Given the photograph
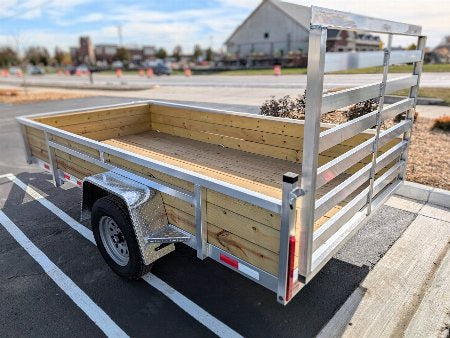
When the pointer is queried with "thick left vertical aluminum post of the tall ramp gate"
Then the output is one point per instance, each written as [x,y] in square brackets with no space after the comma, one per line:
[314,93]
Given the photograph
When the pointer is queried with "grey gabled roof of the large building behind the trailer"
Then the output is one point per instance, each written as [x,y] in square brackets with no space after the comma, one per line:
[298,13]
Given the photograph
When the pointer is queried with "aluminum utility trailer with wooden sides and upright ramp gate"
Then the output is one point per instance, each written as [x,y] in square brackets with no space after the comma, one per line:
[271,198]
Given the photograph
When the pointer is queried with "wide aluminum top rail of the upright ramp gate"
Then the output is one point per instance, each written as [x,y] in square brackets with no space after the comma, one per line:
[330,18]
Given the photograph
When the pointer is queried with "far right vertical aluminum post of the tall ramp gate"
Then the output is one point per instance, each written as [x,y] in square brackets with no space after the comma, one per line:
[413,93]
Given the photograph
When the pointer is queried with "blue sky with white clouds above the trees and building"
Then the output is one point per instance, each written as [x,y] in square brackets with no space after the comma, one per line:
[170,22]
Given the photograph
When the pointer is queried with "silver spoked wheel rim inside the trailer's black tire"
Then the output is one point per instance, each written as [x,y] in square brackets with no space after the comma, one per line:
[113,240]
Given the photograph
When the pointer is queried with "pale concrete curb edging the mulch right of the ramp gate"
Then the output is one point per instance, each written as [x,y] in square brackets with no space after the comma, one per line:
[425,193]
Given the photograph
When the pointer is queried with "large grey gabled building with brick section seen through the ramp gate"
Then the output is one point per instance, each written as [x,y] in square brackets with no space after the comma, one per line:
[277,28]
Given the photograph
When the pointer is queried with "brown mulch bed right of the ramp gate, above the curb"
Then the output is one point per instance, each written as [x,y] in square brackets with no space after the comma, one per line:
[429,155]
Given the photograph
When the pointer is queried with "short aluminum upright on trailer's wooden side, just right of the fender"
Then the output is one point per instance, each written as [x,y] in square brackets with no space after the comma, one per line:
[200,222]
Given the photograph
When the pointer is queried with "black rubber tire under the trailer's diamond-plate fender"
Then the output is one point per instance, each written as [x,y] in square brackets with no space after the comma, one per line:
[113,207]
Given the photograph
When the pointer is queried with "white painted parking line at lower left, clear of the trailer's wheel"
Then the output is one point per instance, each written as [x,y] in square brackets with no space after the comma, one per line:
[82,300]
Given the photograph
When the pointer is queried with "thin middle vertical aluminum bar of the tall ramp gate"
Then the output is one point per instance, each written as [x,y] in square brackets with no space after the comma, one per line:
[387,54]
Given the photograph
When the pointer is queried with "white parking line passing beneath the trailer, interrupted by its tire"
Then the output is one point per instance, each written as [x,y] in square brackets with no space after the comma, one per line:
[202,316]
